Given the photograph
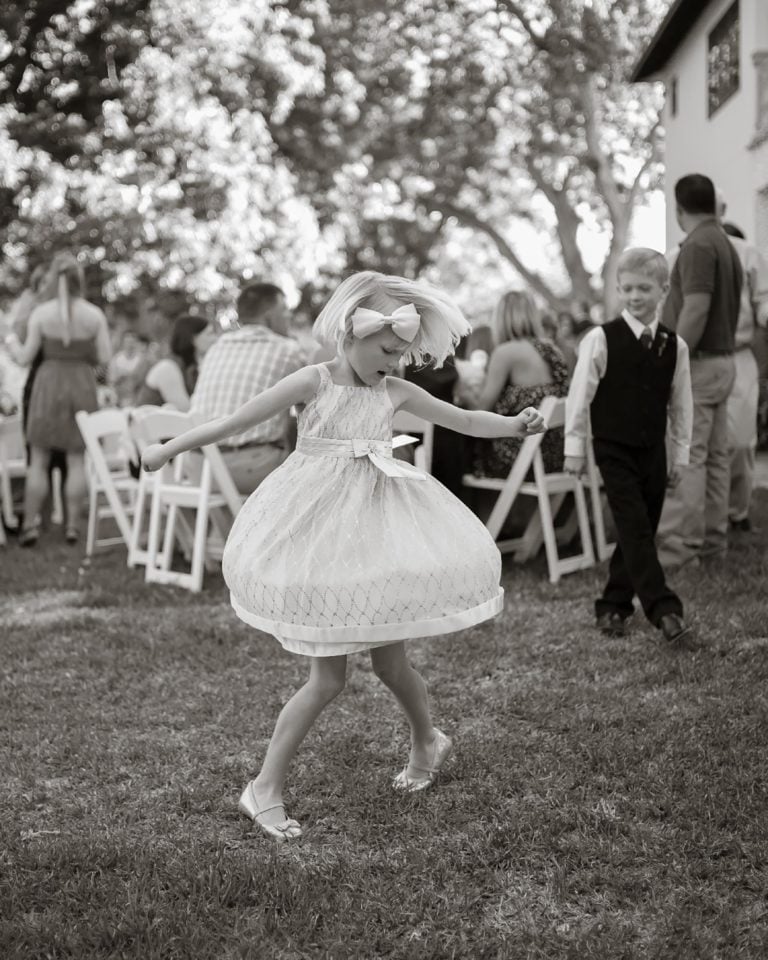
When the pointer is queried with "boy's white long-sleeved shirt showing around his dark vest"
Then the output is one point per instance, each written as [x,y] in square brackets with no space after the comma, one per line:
[590,368]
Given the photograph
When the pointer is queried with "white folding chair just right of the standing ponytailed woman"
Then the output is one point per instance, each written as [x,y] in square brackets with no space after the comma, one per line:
[112,489]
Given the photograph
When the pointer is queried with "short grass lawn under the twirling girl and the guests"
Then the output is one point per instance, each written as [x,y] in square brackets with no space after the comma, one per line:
[607,799]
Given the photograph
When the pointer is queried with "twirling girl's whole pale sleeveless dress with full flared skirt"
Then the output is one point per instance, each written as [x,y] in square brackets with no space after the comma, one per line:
[342,548]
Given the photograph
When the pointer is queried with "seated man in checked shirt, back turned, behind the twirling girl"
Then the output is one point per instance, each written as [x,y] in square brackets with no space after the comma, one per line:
[241,364]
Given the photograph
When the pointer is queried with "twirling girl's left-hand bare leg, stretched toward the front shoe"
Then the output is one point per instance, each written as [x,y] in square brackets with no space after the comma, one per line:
[327,676]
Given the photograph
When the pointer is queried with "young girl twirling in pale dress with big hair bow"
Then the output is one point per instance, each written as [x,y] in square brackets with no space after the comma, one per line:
[344,549]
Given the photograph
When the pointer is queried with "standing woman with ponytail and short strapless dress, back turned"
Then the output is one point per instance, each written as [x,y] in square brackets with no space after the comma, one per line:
[74,337]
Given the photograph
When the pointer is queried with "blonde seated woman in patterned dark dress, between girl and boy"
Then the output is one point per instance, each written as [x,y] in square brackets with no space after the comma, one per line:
[524,368]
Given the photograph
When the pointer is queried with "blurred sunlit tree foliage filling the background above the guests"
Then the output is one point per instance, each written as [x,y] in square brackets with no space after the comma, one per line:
[183,147]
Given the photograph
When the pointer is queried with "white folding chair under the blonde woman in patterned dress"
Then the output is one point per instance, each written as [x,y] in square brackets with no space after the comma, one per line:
[550,491]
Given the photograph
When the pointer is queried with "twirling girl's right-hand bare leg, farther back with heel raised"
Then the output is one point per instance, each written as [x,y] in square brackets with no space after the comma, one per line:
[391,666]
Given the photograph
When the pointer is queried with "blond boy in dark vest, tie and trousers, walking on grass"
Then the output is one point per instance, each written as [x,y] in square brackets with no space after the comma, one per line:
[632,375]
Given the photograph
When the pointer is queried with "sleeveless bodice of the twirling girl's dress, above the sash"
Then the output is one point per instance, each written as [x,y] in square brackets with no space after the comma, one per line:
[346,413]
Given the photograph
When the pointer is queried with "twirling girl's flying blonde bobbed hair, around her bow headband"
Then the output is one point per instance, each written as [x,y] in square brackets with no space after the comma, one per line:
[442,322]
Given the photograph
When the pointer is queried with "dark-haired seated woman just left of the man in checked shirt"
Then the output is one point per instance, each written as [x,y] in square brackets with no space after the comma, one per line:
[171,380]
